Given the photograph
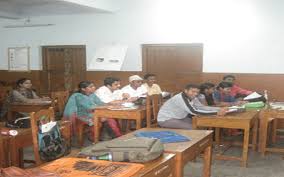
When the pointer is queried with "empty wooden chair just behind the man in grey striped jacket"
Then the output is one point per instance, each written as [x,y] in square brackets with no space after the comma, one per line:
[153,104]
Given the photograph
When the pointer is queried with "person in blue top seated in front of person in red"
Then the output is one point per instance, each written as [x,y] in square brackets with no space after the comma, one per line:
[222,96]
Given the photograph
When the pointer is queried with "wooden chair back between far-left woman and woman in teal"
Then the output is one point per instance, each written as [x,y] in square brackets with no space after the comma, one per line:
[59,99]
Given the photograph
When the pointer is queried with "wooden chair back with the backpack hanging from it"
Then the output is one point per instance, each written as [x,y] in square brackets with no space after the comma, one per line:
[36,118]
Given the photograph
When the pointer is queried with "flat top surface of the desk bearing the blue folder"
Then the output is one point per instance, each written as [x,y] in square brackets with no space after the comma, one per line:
[195,136]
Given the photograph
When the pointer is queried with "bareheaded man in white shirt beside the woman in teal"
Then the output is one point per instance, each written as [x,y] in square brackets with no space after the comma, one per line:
[110,93]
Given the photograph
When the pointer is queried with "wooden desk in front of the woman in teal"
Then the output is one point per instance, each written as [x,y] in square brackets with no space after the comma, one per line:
[134,114]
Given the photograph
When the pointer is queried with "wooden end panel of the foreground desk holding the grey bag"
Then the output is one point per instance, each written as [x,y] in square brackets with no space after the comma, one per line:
[166,169]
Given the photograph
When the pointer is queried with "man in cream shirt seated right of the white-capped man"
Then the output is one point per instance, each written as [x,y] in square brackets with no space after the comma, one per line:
[150,85]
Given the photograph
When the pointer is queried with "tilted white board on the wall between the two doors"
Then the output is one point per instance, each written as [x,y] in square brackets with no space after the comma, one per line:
[108,58]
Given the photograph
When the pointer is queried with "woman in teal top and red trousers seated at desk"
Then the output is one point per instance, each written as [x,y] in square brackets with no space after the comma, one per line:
[82,104]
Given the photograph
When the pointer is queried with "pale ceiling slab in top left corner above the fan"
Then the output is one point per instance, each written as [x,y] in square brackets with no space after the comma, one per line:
[17,9]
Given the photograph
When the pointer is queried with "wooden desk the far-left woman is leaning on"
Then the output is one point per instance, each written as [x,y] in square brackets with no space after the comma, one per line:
[25,107]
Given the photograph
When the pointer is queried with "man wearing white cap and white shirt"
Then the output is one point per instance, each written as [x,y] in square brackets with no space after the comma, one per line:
[135,89]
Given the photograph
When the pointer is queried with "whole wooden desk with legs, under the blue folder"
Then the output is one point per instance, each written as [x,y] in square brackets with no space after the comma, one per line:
[201,140]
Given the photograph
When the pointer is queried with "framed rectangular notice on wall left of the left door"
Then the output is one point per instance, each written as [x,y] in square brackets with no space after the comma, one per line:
[18,58]
